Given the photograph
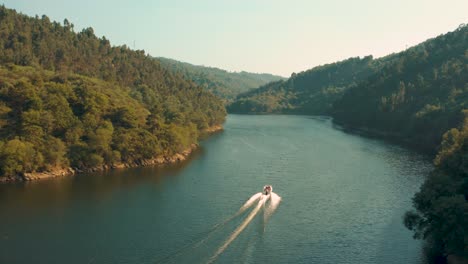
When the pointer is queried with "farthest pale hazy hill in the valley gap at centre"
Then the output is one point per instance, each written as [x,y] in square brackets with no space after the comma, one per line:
[224,84]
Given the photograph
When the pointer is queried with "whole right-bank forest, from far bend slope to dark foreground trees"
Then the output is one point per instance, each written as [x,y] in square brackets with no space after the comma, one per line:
[419,96]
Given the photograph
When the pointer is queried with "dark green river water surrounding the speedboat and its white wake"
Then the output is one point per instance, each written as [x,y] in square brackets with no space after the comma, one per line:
[343,197]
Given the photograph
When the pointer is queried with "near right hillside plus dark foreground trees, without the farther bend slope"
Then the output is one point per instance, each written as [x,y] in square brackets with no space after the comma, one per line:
[422,98]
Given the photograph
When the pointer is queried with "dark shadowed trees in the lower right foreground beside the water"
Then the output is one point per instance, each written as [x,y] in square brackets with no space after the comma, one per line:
[441,215]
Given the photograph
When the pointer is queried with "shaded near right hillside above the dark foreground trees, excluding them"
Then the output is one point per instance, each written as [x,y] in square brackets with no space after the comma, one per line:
[418,96]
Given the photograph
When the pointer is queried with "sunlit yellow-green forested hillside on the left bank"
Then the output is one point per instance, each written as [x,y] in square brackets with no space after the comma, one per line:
[72,99]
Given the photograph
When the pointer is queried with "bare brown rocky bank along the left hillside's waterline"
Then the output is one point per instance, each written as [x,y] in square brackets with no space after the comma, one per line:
[156,161]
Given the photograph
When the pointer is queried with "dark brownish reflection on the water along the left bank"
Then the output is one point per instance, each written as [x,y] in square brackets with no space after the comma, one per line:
[58,192]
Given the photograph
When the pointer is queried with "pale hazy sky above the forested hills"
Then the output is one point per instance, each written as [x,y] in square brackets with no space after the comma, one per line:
[271,36]
